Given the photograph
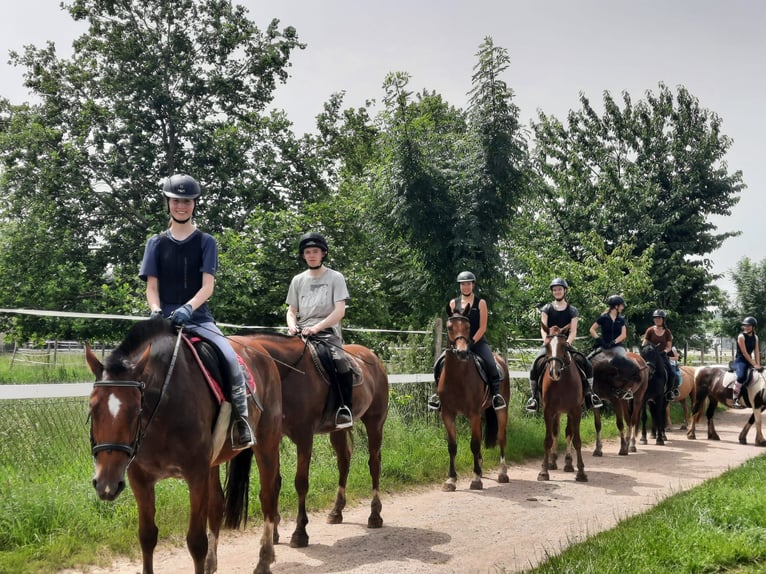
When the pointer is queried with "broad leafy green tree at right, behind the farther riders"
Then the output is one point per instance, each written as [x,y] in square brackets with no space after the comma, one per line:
[646,175]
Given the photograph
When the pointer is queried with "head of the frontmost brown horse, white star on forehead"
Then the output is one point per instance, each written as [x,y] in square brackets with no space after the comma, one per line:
[115,413]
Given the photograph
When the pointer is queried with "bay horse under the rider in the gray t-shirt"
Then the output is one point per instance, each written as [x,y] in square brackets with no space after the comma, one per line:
[305,392]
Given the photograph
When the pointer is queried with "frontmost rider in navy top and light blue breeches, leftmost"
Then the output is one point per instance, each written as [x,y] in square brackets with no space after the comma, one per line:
[179,267]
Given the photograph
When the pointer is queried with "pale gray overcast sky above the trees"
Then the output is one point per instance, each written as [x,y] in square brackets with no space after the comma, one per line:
[558,49]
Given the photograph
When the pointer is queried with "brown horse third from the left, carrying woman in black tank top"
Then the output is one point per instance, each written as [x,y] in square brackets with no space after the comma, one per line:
[462,390]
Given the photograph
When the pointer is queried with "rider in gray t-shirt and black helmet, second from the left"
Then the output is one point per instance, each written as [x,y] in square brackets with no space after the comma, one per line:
[316,303]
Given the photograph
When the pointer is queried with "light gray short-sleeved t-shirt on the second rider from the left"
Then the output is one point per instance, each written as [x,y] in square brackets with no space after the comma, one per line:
[315,297]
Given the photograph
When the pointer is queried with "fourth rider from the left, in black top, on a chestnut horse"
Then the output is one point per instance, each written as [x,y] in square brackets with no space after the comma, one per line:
[560,313]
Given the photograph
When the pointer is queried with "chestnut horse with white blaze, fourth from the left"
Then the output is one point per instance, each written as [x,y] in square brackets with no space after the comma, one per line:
[562,393]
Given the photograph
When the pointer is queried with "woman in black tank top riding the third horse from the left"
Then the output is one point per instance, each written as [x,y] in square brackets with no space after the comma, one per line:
[478,317]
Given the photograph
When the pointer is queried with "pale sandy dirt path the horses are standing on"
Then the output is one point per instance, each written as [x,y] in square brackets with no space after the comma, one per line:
[503,528]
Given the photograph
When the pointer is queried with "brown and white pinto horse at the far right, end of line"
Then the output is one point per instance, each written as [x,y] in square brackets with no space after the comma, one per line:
[713,383]
